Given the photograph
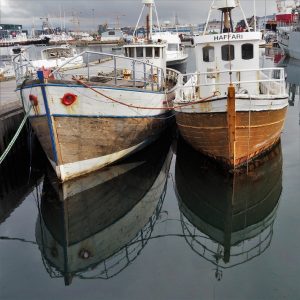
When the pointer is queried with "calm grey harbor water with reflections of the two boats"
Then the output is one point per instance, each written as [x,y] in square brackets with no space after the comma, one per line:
[165,223]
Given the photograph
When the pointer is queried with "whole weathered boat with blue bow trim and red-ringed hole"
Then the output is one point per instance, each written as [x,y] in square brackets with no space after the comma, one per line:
[90,117]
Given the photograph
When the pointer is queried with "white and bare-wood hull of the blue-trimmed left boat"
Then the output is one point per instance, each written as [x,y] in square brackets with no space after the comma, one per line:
[94,131]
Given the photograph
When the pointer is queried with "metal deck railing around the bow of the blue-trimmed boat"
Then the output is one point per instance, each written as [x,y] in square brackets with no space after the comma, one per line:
[98,67]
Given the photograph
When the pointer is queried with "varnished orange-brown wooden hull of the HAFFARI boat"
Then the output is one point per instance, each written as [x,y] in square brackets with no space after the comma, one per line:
[209,132]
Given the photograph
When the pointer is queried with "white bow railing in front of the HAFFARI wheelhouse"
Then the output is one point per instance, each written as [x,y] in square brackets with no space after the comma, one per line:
[264,81]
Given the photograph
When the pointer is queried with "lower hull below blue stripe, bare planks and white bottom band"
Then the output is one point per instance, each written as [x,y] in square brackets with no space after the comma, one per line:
[84,144]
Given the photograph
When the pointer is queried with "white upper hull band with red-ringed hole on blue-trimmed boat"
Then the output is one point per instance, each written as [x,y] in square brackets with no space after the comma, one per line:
[89,103]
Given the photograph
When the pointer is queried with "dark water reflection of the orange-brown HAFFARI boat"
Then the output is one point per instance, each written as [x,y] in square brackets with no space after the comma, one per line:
[228,219]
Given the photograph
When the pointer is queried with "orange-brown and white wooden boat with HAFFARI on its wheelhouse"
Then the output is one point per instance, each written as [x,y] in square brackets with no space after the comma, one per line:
[236,124]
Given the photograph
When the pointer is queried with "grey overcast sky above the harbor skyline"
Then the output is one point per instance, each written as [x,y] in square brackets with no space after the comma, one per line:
[93,12]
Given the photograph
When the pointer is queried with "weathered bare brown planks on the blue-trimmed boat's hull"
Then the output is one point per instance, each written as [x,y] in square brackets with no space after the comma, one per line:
[85,138]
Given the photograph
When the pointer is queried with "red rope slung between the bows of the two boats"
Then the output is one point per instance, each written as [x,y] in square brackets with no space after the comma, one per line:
[142,107]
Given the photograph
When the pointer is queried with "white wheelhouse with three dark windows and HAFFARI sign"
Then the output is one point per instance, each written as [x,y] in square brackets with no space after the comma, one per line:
[229,51]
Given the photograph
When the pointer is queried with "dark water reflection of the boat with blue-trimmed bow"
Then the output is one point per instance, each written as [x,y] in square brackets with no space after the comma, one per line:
[94,227]
